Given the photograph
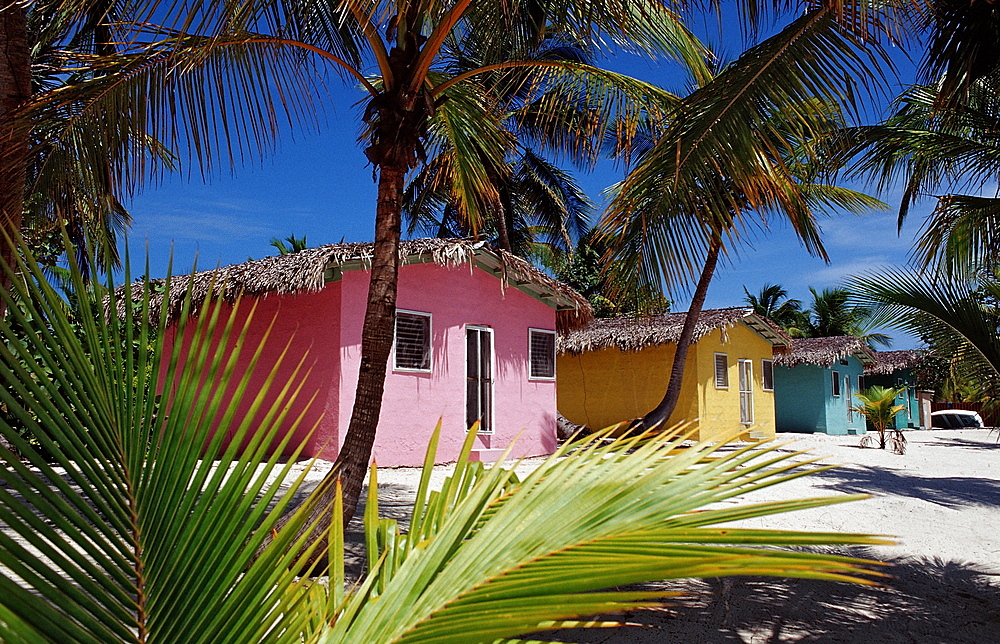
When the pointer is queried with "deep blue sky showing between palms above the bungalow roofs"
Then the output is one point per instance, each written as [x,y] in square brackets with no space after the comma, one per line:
[320,185]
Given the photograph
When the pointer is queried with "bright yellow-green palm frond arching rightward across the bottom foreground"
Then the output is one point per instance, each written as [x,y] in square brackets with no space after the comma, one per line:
[483,559]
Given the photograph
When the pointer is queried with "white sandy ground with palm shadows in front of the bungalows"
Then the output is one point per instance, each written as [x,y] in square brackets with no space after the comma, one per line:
[942,502]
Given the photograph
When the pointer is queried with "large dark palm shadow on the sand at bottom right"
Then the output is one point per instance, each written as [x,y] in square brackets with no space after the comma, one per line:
[927,600]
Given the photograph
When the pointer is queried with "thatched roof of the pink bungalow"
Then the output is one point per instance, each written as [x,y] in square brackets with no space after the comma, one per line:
[309,270]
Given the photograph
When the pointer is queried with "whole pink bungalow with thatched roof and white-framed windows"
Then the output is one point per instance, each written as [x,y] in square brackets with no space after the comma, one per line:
[474,340]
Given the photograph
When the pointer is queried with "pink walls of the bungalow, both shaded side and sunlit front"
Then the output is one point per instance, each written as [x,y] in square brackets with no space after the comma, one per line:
[325,329]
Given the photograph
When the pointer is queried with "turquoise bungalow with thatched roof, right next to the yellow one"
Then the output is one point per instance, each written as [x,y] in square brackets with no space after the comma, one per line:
[815,383]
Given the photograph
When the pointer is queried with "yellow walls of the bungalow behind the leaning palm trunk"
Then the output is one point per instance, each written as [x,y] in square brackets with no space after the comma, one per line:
[601,388]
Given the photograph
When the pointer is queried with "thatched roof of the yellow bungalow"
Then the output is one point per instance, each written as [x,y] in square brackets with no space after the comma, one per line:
[638,332]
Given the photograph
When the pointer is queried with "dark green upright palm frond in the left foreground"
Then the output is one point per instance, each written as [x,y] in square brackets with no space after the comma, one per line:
[146,526]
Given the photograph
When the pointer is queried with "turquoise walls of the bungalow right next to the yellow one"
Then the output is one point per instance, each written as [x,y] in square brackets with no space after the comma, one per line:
[804,400]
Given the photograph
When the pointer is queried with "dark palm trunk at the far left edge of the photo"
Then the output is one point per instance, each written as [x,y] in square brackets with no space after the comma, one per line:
[15,89]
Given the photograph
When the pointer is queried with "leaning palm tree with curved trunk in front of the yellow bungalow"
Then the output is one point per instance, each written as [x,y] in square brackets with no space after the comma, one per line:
[737,147]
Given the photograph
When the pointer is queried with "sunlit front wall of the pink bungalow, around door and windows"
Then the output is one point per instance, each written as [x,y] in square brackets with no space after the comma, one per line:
[413,402]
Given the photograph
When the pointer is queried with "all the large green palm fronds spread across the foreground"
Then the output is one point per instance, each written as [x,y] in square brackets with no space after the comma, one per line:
[149,527]
